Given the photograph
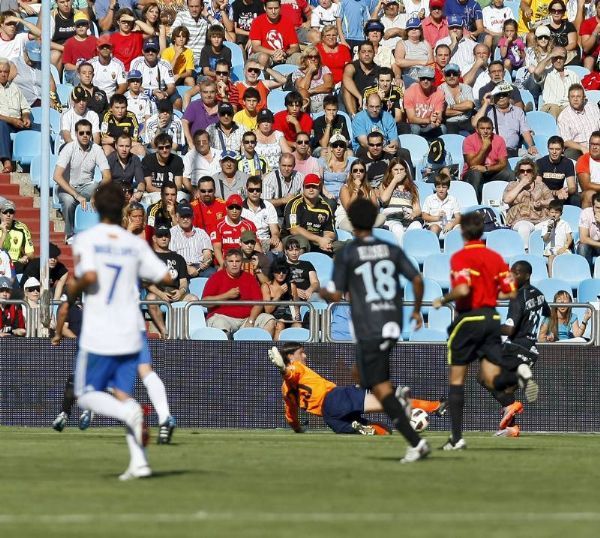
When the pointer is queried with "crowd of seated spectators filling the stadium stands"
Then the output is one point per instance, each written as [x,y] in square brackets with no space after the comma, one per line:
[242,131]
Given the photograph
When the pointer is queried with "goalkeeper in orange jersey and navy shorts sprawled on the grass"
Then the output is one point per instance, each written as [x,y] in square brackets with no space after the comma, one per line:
[342,408]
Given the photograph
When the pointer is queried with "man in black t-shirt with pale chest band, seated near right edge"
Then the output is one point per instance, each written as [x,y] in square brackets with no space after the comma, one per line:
[558,172]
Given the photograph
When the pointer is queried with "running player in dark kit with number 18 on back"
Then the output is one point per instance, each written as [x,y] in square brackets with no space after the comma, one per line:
[369,268]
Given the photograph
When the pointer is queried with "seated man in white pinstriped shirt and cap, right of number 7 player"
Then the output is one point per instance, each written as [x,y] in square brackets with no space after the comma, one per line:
[192,243]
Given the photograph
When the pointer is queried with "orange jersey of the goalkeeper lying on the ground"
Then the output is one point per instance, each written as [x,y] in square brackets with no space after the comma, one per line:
[305,388]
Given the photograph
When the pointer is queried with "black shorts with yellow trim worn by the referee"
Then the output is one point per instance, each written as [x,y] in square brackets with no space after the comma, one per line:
[475,335]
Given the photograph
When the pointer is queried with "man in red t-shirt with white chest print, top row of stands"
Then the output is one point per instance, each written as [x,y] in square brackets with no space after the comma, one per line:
[274,37]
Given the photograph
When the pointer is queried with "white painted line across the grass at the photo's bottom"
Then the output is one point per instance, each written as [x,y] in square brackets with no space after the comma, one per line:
[284,517]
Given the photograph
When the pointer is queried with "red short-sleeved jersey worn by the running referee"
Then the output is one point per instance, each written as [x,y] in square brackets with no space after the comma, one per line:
[484,271]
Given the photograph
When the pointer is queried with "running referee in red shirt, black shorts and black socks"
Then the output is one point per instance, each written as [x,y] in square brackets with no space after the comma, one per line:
[479,277]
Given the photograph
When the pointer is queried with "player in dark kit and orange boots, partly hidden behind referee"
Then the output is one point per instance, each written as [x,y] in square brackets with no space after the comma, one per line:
[525,313]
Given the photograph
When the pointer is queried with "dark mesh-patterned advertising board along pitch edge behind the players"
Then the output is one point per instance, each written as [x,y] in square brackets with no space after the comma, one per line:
[233,384]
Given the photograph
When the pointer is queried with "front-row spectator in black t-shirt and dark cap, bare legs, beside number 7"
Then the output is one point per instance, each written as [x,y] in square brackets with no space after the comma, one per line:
[178,290]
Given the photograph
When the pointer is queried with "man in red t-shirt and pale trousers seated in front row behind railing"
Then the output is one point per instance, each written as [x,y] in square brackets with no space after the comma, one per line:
[233,284]
